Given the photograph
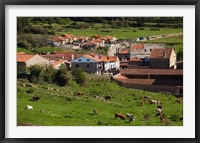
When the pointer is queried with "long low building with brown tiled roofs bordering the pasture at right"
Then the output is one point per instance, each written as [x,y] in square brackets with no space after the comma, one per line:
[154,80]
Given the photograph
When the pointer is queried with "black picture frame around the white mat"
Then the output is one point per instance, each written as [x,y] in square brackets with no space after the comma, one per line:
[3,4]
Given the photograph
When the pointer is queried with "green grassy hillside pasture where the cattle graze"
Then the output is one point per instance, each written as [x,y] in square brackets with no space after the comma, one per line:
[60,106]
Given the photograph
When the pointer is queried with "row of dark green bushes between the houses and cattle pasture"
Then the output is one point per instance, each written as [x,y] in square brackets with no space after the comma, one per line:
[61,77]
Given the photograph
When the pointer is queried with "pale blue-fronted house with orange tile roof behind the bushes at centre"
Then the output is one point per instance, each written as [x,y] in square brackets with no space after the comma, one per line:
[88,64]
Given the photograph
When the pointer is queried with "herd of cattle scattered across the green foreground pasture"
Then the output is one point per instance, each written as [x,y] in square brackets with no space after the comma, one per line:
[131,118]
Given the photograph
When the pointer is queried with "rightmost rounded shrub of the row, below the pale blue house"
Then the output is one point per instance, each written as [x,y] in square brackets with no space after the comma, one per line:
[79,76]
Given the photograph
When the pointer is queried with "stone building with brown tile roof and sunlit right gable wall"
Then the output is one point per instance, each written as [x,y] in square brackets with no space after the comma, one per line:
[163,59]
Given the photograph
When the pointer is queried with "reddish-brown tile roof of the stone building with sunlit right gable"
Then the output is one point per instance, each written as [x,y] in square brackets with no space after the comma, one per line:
[161,53]
